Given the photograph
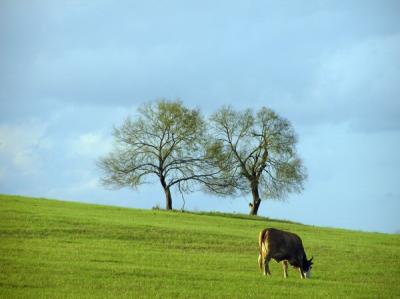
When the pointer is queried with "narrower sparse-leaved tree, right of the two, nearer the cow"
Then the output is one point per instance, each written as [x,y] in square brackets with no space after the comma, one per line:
[259,152]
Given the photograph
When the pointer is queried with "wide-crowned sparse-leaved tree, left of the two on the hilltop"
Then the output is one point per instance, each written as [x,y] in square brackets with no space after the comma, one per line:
[167,141]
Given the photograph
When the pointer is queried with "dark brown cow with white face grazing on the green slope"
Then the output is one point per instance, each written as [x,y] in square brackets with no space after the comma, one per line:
[283,247]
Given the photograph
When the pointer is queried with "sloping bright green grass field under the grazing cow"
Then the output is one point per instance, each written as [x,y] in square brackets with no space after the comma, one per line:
[55,249]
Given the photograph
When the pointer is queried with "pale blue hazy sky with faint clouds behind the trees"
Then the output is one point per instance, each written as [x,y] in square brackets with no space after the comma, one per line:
[70,71]
